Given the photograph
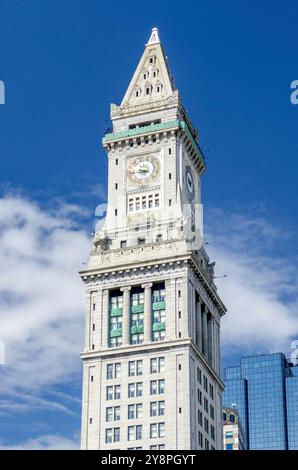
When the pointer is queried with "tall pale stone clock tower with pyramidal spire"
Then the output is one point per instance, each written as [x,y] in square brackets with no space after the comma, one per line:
[151,360]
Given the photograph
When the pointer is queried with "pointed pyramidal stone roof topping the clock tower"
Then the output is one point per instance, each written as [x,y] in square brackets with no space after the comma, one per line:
[152,80]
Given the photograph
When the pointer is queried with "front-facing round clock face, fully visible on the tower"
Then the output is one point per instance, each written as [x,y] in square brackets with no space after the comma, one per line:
[143,170]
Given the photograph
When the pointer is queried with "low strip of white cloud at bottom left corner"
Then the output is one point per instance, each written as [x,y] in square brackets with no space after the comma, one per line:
[47,442]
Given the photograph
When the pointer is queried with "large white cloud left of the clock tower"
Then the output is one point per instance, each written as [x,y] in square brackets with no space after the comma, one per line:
[41,294]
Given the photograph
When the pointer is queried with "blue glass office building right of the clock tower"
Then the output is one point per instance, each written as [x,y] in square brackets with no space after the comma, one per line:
[264,390]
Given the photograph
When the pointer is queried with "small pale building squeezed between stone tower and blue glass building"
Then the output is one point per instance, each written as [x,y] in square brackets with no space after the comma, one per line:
[233,433]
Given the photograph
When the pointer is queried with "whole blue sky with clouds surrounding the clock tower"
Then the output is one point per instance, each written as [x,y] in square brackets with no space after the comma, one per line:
[63,63]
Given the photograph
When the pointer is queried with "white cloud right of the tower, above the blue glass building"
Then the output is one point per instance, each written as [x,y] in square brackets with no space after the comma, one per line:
[260,291]
